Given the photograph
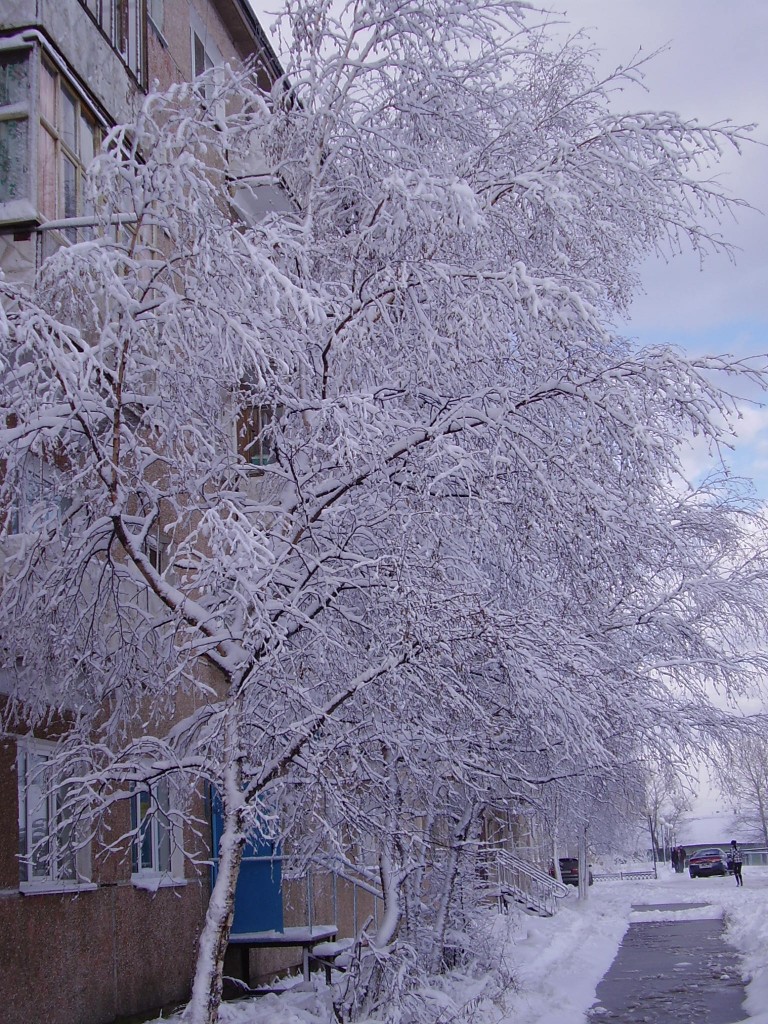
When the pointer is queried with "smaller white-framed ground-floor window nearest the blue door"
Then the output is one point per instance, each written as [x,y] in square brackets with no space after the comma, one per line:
[152,868]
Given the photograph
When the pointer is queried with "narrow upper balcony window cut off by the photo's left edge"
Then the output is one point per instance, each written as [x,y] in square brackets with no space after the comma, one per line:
[15,125]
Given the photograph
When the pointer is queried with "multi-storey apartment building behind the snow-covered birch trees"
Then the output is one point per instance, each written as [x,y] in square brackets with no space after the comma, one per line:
[97,935]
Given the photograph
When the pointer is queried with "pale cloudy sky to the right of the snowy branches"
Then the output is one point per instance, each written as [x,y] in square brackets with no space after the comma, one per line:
[714,68]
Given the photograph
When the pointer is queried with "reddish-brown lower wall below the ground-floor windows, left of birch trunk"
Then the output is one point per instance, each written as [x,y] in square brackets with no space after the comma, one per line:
[91,957]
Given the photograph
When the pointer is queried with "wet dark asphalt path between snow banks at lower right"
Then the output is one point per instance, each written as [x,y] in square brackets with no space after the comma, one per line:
[679,971]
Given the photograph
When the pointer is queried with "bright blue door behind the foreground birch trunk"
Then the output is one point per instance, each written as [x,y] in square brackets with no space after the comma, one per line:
[259,899]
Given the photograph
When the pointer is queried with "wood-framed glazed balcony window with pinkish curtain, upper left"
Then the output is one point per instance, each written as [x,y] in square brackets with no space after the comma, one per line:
[69,139]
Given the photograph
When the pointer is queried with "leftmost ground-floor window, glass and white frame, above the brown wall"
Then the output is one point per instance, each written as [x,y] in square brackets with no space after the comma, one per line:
[49,859]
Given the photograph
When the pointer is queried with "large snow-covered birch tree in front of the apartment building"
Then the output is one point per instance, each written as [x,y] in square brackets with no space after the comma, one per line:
[361,511]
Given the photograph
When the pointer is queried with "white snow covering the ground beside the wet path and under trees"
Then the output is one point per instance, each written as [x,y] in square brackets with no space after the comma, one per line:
[556,964]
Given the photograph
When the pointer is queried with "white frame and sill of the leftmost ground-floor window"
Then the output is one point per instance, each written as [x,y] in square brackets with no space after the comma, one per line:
[33,797]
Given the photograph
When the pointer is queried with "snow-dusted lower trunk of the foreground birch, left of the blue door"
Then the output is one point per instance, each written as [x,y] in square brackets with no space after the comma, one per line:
[207,988]
